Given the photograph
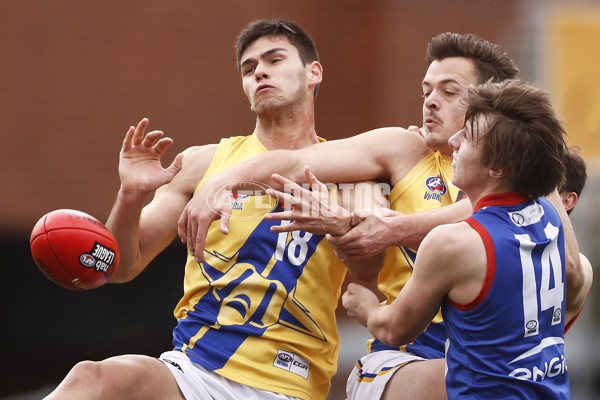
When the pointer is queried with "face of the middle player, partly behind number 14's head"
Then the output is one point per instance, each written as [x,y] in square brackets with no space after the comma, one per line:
[443,111]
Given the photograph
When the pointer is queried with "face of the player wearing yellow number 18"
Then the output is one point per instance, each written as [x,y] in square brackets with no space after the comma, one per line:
[273,75]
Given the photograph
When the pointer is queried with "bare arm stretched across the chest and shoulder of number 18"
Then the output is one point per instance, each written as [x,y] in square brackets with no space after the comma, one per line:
[367,156]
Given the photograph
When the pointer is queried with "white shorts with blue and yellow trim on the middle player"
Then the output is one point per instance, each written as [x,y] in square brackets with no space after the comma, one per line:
[372,372]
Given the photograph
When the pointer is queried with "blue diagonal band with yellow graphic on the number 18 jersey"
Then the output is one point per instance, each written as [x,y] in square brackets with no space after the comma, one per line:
[245,271]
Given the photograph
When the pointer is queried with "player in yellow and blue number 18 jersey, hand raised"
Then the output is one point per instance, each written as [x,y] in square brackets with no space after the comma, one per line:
[257,318]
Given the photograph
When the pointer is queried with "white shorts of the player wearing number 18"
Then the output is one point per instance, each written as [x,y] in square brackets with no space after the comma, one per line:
[199,383]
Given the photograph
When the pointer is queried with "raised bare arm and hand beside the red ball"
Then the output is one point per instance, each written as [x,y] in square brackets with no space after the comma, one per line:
[143,232]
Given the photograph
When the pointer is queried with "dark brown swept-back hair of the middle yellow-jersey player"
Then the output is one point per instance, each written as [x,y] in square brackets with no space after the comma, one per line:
[491,61]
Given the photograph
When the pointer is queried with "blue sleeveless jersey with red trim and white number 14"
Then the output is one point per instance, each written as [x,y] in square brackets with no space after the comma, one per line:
[509,341]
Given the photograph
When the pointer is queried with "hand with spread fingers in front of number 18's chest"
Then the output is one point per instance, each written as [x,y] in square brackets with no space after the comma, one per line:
[312,210]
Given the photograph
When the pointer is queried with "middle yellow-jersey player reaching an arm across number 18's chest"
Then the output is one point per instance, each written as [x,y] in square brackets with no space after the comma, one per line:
[418,169]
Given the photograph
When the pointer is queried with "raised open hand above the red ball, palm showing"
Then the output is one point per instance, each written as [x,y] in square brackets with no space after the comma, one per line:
[140,168]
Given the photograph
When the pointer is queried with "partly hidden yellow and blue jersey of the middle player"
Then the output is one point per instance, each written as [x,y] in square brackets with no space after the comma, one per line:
[426,187]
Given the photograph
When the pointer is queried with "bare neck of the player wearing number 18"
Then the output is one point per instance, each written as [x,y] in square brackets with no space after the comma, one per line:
[291,129]
